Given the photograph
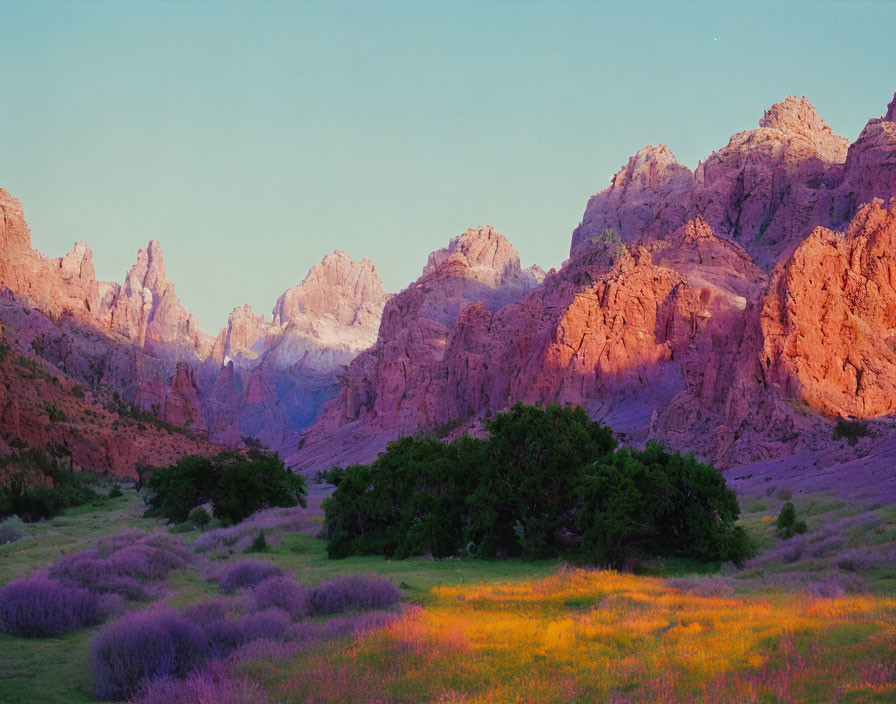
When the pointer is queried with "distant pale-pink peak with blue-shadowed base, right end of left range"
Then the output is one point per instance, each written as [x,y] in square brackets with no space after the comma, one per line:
[278,374]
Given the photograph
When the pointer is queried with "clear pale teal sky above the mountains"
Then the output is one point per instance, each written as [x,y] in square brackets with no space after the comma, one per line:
[252,138]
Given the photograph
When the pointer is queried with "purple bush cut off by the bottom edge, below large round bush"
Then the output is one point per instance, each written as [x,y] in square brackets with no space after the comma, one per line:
[211,685]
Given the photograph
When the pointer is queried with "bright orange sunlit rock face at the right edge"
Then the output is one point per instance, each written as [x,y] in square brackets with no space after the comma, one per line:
[829,320]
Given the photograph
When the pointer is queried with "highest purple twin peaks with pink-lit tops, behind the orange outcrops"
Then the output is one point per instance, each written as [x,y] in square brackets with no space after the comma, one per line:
[762,190]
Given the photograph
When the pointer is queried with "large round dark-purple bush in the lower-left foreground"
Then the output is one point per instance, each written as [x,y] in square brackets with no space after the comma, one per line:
[141,646]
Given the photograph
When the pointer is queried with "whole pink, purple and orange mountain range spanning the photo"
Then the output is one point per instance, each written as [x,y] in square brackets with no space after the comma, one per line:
[735,310]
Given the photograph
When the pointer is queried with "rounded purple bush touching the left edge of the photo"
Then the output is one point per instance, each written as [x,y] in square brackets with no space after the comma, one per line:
[44,607]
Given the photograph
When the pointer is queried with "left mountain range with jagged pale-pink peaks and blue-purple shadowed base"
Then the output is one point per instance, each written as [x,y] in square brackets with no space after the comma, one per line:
[135,342]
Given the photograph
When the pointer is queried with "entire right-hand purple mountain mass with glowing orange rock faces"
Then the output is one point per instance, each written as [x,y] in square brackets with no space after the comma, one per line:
[733,311]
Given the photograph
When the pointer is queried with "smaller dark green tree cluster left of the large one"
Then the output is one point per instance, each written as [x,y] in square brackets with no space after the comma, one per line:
[237,485]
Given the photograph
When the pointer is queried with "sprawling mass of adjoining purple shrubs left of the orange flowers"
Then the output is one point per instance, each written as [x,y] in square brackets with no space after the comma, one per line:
[148,655]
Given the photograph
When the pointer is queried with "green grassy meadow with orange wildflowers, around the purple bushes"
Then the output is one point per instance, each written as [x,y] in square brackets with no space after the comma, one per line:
[799,623]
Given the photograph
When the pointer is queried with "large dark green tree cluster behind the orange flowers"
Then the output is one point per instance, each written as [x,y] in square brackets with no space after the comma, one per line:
[545,482]
